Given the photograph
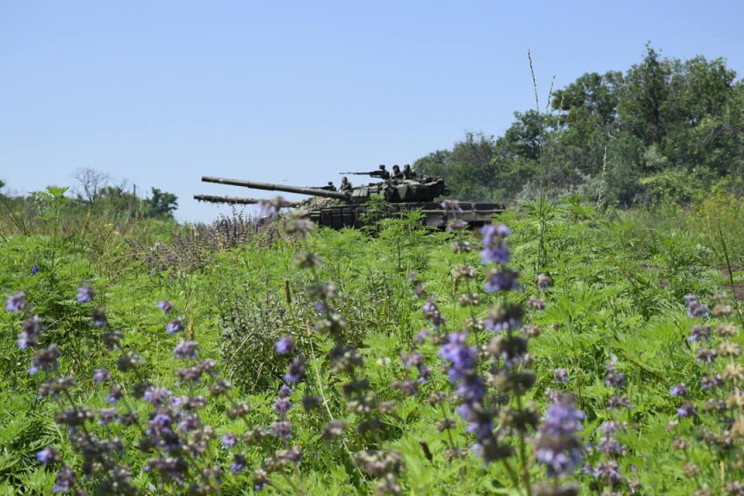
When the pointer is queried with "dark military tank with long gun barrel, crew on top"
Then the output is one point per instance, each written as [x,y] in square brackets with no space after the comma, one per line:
[346,208]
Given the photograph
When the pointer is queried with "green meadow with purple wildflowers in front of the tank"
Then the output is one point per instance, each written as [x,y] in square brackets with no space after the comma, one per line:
[560,350]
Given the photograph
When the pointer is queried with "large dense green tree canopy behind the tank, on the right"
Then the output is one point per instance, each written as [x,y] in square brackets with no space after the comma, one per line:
[665,124]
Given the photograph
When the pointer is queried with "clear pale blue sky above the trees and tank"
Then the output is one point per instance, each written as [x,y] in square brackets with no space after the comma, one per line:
[294,92]
